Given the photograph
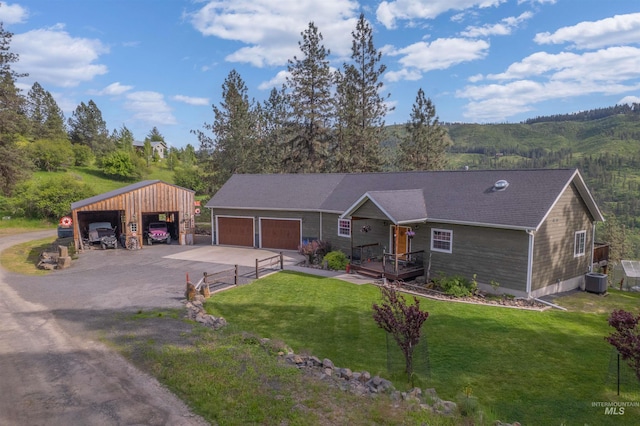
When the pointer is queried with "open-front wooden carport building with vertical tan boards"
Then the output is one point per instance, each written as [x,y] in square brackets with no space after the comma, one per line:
[130,210]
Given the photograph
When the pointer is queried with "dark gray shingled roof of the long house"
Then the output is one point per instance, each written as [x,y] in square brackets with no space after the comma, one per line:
[463,197]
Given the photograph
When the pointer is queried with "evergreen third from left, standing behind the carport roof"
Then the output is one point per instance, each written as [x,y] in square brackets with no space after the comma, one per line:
[87,127]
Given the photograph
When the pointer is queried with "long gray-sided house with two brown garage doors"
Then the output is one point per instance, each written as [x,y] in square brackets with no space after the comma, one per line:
[530,231]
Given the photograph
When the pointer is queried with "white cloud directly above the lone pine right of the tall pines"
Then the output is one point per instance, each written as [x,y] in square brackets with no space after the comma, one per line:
[439,54]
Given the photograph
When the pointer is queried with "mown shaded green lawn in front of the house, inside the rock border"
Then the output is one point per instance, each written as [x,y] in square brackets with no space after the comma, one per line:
[534,367]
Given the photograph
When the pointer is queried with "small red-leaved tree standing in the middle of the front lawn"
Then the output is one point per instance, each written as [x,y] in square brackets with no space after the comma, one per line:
[402,321]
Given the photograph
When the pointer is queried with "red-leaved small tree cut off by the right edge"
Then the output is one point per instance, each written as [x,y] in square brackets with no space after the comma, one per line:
[626,338]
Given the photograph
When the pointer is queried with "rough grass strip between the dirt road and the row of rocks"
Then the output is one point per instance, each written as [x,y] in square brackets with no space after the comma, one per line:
[229,379]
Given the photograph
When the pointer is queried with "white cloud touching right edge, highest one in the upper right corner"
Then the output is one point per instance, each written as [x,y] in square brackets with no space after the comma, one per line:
[616,31]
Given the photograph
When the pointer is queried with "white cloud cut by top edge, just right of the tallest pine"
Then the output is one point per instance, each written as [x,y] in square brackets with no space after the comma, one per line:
[389,12]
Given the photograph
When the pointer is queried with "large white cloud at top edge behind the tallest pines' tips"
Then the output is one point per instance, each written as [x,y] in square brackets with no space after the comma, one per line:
[272,29]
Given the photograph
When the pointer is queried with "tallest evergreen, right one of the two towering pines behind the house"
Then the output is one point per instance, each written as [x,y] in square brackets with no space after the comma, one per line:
[361,108]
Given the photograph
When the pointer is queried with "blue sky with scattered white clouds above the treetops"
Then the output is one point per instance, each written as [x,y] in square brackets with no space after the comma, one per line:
[157,63]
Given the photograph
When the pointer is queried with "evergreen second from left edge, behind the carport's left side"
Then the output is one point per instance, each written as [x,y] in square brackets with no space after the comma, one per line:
[46,119]
